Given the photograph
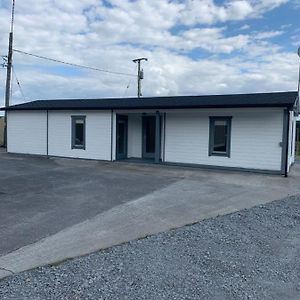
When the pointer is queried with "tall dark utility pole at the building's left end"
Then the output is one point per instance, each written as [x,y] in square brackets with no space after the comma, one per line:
[8,71]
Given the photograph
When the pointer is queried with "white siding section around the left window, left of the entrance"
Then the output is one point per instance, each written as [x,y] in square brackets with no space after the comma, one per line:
[98,135]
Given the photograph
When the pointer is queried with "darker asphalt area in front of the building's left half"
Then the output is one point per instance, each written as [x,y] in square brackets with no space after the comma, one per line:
[40,196]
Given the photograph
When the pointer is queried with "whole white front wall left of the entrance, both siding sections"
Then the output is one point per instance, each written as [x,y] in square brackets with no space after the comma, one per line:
[27,133]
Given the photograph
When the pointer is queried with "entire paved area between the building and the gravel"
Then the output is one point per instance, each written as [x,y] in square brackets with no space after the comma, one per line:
[55,209]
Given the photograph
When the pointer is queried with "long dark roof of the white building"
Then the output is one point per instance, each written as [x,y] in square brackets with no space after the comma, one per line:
[277,99]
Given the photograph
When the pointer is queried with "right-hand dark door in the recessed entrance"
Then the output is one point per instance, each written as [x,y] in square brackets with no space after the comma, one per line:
[148,137]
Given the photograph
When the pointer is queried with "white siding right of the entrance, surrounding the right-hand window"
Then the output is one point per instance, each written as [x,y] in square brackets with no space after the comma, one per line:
[255,138]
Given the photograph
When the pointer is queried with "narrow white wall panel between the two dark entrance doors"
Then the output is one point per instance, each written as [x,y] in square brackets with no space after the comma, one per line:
[134,135]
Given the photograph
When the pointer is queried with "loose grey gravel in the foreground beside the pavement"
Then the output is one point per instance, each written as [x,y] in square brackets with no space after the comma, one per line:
[251,254]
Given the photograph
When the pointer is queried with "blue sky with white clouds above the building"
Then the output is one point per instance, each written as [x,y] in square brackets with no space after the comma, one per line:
[194,46]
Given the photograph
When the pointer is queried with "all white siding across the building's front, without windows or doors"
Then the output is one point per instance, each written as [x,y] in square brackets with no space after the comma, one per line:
[255,136]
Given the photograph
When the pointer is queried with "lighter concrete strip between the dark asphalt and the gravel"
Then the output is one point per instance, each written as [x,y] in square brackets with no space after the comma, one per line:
[194,195]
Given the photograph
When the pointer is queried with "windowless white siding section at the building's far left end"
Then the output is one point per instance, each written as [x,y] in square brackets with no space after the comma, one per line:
[27,132]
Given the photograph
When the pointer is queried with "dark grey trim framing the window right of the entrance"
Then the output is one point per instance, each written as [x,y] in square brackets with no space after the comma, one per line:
[211,136]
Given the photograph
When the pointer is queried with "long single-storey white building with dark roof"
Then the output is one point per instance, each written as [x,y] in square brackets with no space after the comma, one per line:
[251,132]
